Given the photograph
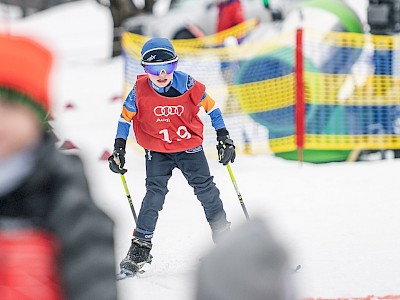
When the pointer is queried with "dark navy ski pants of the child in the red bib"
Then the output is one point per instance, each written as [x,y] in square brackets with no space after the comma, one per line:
[194,167]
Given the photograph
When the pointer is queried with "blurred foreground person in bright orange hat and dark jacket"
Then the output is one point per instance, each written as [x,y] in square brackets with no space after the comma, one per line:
[54,242]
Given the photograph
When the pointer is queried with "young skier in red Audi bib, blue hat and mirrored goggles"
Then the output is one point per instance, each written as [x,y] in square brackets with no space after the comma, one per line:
[163,106]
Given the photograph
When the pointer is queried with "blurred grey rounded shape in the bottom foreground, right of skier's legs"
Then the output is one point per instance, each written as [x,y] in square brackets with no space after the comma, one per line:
[249,263]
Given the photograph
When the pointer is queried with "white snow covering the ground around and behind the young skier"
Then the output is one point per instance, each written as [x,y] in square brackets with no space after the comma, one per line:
[340,221]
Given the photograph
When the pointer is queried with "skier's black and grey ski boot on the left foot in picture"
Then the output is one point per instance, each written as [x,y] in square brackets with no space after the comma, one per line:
[138,255]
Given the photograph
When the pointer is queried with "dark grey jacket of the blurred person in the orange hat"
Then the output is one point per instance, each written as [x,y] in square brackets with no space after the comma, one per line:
[56,198]
